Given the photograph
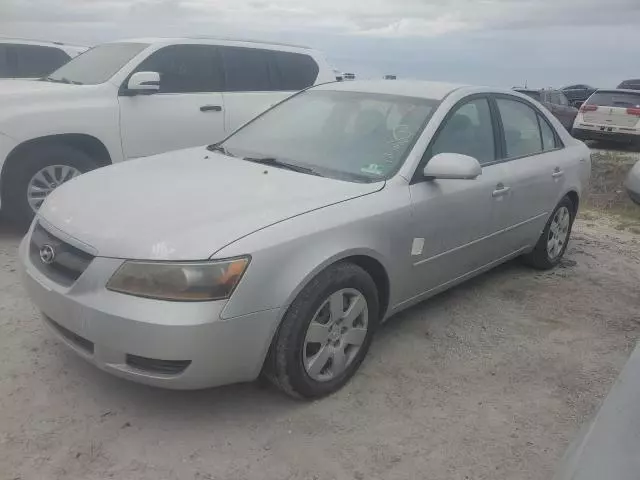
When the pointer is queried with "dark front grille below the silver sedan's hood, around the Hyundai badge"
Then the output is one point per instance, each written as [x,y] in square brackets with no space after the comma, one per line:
[68,261]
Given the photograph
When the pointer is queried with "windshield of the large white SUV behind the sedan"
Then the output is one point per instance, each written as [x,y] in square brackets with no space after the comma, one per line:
[98,64]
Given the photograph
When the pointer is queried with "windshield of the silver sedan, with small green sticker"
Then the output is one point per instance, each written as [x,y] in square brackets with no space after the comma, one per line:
[348,135]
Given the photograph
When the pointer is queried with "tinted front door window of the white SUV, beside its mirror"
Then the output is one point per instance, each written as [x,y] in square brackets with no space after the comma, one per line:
[185,68]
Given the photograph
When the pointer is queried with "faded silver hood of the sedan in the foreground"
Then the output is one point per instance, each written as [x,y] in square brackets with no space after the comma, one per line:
[185,205]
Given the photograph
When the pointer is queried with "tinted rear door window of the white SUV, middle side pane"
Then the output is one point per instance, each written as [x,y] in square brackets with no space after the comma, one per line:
[247,69]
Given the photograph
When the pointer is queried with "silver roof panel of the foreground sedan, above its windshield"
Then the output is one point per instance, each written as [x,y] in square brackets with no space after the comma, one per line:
[407,88]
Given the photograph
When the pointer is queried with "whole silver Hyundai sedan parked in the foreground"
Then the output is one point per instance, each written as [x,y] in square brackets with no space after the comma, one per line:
[281,249]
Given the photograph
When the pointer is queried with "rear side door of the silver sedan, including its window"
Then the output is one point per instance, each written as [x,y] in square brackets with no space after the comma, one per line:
[534,159]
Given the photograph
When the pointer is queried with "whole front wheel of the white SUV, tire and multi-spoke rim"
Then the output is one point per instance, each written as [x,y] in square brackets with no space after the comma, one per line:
[32,178]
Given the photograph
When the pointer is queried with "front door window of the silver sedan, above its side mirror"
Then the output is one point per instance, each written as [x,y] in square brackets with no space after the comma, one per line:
[468,131]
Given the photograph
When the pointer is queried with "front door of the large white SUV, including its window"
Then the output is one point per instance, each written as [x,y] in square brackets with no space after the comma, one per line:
[186,112]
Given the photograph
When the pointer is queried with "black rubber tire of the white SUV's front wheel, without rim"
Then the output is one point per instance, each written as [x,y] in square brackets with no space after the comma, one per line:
[21,173]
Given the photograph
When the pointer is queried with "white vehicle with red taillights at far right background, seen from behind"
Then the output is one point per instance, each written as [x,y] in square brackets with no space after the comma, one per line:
[610,115]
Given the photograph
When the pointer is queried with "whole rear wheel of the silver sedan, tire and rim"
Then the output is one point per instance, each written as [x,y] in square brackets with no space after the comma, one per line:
[554,239]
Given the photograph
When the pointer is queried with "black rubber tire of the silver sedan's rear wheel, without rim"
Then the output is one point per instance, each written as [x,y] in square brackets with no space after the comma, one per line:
[541,258]
